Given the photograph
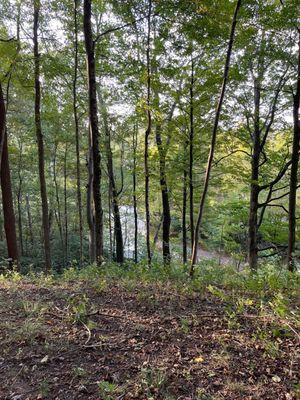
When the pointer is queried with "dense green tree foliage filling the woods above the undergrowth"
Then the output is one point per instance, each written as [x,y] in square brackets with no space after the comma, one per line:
[159,70]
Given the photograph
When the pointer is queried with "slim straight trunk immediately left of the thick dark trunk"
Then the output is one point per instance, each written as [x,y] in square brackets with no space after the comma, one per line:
[76,122]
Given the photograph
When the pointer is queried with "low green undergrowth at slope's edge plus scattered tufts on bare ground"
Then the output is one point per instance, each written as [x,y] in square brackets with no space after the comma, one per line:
[269,298]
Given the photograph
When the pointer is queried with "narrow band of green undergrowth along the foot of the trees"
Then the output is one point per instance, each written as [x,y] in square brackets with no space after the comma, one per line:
[269,280]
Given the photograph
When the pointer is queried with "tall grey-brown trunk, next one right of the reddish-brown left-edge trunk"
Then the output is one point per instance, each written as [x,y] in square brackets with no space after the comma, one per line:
[40,140]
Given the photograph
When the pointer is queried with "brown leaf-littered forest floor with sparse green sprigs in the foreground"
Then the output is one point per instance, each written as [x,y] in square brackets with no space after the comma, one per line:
[110,338]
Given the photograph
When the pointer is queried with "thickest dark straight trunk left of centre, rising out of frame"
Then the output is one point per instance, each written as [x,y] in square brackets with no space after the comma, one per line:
[90,53]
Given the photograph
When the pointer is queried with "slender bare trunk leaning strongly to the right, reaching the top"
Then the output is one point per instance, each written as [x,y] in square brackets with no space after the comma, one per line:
[214,137]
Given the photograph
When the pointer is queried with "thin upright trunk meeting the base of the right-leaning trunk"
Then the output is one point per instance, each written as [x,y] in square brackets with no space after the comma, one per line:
[191,156]
